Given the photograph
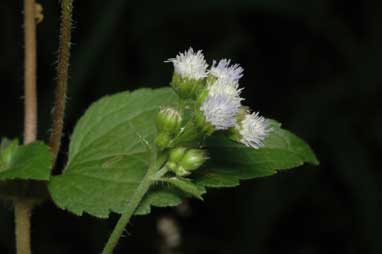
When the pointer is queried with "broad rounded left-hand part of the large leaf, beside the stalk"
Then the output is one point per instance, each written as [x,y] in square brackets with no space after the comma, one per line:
[108,156]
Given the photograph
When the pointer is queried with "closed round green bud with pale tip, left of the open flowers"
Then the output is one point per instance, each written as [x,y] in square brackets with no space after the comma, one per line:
[169,120]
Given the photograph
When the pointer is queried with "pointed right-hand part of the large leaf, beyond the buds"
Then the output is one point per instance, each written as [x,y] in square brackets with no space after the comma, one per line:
[231,162]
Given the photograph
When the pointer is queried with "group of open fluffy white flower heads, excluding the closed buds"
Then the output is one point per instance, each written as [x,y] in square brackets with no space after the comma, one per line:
[220,100]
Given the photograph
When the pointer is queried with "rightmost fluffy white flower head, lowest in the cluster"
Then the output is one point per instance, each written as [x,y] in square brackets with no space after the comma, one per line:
[253,130]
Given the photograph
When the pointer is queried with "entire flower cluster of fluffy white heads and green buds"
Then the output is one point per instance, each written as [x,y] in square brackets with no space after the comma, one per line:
[214,97]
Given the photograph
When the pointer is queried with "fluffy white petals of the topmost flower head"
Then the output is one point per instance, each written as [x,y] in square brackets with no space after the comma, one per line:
[190,64]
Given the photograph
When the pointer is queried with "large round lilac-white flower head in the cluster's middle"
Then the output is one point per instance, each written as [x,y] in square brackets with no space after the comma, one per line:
[220,110]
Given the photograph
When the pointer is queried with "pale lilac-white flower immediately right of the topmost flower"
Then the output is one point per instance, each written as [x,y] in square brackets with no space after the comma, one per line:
[223,70]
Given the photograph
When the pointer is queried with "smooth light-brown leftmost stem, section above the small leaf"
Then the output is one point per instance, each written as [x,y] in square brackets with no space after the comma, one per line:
[30,104]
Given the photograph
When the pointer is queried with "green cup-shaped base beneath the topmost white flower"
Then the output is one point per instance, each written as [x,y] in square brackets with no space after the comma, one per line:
[187,88]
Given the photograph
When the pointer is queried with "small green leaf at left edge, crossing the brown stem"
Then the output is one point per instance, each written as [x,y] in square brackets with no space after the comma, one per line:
[24,162]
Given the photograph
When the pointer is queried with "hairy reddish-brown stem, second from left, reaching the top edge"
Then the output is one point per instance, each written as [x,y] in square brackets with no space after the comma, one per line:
[62,76]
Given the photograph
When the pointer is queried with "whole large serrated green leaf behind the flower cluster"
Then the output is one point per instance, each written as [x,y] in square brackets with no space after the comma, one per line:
[110,149]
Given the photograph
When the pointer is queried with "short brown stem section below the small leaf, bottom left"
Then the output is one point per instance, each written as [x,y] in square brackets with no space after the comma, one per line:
[23,210]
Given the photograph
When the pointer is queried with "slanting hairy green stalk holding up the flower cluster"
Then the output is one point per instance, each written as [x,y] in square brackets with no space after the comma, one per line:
[134,202]
